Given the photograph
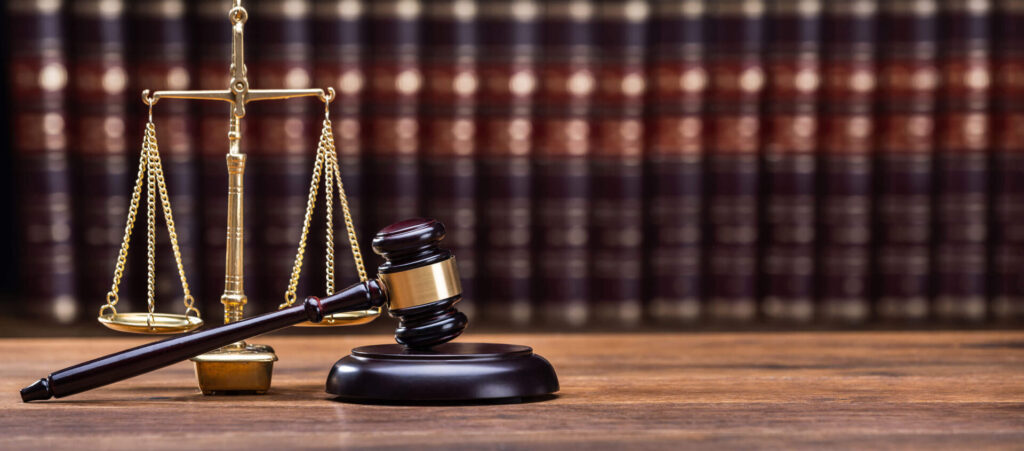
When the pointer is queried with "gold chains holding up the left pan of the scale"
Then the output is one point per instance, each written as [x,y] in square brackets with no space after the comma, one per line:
[150,168]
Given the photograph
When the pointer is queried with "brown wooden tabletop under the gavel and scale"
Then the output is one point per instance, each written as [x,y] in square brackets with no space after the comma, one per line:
[851,390]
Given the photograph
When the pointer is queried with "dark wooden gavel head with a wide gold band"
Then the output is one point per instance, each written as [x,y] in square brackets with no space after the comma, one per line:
[422,283]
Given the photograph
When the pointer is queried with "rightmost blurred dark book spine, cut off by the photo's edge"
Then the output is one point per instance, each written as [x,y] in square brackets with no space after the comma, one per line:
[1008,162]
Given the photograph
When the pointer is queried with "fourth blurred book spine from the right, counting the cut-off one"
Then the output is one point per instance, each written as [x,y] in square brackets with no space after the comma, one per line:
[846,160]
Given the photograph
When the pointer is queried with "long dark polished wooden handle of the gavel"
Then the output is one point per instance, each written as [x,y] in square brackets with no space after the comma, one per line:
[147,358]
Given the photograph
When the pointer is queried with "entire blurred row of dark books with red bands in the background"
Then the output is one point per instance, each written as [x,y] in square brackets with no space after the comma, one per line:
[595,162]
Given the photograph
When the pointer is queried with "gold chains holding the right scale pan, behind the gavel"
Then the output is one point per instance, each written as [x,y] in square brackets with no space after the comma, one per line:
[327,159]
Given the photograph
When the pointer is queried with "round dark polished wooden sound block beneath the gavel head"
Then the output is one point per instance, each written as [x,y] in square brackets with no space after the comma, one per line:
[451,372]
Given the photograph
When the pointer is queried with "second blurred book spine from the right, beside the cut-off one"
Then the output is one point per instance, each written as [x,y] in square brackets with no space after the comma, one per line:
[962,180]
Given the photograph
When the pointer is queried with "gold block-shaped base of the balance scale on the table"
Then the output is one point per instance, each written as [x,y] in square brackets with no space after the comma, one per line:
[236,370]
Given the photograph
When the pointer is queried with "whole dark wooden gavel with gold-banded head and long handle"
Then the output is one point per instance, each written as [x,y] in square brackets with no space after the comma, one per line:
[418,283]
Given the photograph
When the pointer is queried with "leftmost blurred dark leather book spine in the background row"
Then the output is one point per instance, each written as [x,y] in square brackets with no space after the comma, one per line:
[39,78]
